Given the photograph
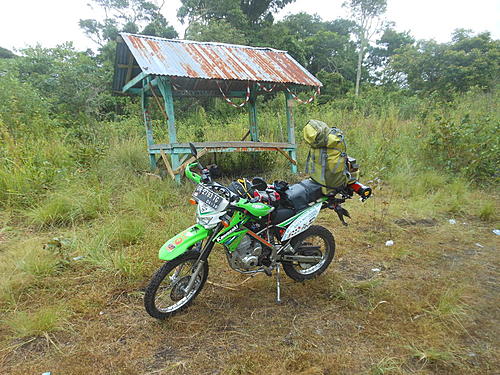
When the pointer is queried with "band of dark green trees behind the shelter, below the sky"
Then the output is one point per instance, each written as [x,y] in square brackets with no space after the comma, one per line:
[75,85]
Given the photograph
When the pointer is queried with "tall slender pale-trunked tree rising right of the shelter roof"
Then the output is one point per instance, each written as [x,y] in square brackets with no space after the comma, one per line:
[367,15]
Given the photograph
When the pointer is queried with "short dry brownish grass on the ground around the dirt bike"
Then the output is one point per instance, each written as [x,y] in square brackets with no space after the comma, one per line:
[431,309]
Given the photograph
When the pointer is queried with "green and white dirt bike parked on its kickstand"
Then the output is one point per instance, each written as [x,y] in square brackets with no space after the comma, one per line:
[258,235]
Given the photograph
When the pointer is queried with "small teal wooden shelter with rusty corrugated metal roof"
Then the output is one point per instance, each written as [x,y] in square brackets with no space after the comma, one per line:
[181,68]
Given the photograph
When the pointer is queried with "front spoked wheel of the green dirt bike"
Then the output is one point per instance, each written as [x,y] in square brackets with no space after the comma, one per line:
[166,294]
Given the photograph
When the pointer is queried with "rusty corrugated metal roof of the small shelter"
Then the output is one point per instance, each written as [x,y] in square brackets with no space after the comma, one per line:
[220,61]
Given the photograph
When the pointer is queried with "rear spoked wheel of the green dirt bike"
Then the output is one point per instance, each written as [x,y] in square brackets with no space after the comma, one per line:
[316,241]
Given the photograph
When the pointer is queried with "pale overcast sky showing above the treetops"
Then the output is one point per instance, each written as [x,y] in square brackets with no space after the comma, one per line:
[50,22]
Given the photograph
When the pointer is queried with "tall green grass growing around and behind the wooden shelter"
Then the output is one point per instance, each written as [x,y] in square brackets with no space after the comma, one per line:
[390,142]
